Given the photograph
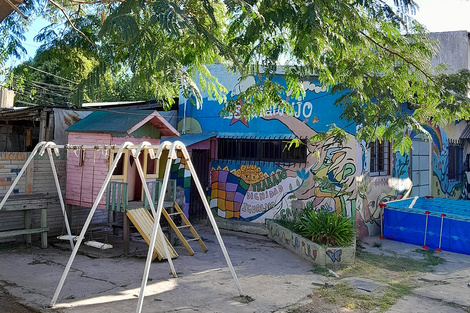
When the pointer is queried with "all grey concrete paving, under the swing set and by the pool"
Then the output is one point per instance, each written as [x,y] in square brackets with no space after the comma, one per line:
[273,279]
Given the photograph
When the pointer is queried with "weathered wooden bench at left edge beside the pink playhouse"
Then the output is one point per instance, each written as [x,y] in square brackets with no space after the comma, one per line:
[26,204]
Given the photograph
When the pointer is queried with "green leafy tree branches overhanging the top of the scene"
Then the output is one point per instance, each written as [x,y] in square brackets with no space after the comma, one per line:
[374,56]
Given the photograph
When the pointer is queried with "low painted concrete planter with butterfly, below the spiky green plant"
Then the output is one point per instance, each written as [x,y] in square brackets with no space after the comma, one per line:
[309,250]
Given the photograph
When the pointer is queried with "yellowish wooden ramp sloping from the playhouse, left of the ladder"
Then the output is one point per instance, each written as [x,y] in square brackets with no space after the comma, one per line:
[143,221]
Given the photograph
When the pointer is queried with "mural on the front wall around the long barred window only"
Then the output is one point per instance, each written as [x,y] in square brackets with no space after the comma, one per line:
[254,191]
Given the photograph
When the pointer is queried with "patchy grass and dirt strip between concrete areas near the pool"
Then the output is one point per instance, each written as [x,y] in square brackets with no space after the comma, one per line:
[374,283]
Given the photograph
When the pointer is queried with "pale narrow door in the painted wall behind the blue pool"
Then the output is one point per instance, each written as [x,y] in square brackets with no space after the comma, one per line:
[420,168]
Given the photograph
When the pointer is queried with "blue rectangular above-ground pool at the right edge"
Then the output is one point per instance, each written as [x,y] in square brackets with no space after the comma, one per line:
[405,220]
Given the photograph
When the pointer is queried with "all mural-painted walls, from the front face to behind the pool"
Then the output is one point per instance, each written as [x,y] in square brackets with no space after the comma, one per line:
[335,175]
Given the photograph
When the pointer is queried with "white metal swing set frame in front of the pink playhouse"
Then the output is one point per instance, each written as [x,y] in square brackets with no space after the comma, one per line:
[155,152]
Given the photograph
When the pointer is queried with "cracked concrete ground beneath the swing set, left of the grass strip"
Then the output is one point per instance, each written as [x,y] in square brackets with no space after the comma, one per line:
[272,277]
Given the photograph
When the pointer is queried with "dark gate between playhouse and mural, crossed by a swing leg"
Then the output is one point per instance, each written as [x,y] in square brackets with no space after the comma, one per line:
[200,159]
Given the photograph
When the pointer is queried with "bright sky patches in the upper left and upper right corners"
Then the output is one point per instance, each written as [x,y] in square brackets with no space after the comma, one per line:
[436,15]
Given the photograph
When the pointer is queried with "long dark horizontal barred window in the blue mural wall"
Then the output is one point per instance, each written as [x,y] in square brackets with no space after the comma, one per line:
[268,150]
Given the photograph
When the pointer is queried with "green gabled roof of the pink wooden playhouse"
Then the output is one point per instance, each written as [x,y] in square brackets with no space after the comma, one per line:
[122,122]
